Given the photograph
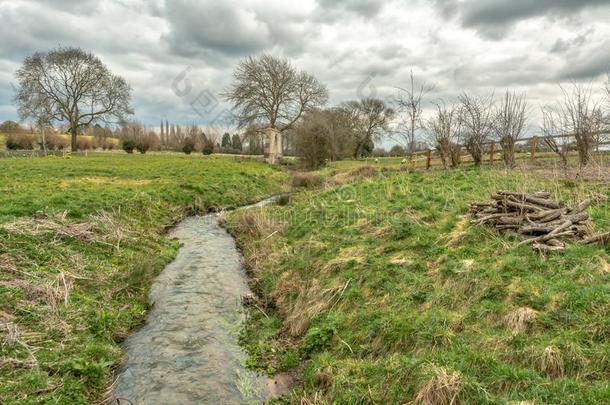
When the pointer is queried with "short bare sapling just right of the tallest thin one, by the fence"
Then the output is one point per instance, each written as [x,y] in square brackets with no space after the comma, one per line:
[444,127]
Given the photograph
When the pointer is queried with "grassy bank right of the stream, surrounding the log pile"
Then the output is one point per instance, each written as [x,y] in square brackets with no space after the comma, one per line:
[386,294]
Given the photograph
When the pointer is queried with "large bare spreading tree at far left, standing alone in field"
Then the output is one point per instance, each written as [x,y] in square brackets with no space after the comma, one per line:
[72,86]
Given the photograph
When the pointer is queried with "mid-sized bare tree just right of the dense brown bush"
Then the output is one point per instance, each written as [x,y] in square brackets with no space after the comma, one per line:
[369,119]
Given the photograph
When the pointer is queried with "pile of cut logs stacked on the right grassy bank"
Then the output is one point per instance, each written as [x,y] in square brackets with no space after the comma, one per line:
[544,223]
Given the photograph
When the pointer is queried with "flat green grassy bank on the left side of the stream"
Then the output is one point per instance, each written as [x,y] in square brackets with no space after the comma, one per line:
[80,241]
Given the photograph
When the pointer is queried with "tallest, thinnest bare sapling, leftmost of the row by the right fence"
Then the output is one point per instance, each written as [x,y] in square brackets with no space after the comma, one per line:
[409,102]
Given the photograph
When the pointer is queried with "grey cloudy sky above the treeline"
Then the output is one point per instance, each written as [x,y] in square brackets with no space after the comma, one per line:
[178,55]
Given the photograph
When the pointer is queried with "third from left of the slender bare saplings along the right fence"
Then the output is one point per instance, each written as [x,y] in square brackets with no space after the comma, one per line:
[476,120]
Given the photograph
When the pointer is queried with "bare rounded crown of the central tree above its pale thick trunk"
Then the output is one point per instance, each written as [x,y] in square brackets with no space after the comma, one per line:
[269,91]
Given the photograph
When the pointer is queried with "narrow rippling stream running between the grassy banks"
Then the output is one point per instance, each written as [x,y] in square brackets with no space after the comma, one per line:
[187,352]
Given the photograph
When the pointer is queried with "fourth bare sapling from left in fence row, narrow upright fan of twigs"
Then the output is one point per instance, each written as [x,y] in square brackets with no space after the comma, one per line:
[509,123]
